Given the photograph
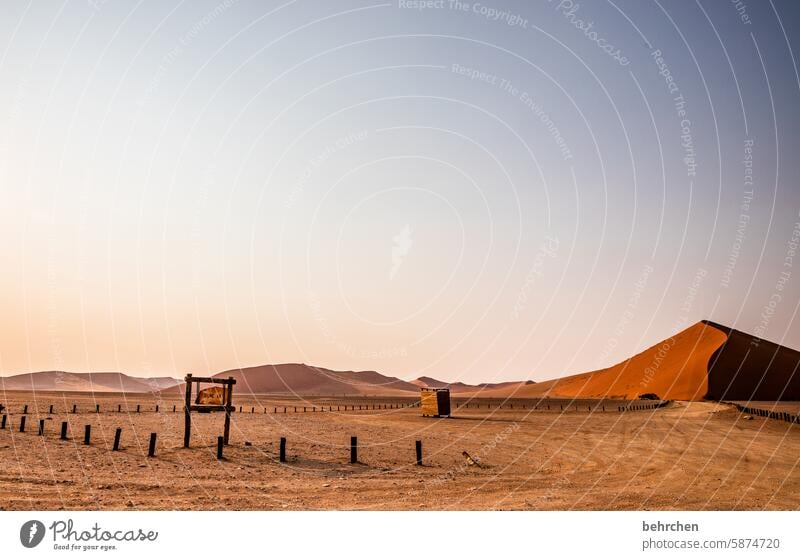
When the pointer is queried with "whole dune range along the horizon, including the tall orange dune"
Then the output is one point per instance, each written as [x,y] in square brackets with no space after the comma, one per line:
[704,361]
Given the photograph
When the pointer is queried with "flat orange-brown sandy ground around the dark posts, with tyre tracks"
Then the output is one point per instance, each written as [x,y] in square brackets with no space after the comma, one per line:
[684,456]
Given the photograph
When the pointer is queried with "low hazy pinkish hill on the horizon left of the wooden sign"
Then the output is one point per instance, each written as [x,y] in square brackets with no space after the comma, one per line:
[98,382]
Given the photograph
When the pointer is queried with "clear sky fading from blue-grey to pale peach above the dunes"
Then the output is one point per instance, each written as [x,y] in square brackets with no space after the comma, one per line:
[470,191]
